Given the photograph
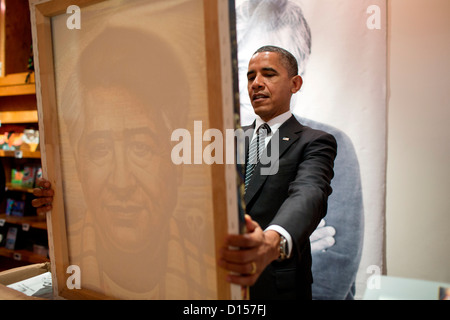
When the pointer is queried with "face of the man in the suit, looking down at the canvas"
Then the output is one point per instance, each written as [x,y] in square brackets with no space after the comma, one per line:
[269,86]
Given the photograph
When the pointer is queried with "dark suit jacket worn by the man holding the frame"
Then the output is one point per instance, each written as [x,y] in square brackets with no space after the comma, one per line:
[294,196]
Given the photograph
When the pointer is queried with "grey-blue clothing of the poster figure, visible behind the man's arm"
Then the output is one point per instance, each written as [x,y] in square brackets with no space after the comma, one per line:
[334,270]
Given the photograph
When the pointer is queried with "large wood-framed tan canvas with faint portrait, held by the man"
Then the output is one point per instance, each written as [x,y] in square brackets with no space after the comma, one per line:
[91,245]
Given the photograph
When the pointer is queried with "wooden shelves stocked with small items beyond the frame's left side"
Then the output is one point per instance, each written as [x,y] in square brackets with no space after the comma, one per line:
[18,111]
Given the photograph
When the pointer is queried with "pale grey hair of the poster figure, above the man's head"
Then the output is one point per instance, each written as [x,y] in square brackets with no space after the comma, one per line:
[282,21]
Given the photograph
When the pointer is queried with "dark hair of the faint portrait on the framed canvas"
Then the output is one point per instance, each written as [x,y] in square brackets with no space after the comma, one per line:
[140,62]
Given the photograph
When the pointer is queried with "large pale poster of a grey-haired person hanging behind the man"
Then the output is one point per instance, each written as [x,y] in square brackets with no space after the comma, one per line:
[340,46]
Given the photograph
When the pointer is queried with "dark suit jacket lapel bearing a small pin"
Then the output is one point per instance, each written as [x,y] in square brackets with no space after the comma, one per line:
[285,136]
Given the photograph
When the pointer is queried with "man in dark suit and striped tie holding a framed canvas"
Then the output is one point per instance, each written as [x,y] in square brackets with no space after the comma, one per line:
[287,201]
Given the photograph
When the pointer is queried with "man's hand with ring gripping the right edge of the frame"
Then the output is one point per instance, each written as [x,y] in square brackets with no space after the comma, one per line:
[247,255]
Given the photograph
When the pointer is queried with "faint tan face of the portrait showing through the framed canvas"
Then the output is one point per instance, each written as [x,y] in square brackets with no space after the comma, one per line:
[124,169]
